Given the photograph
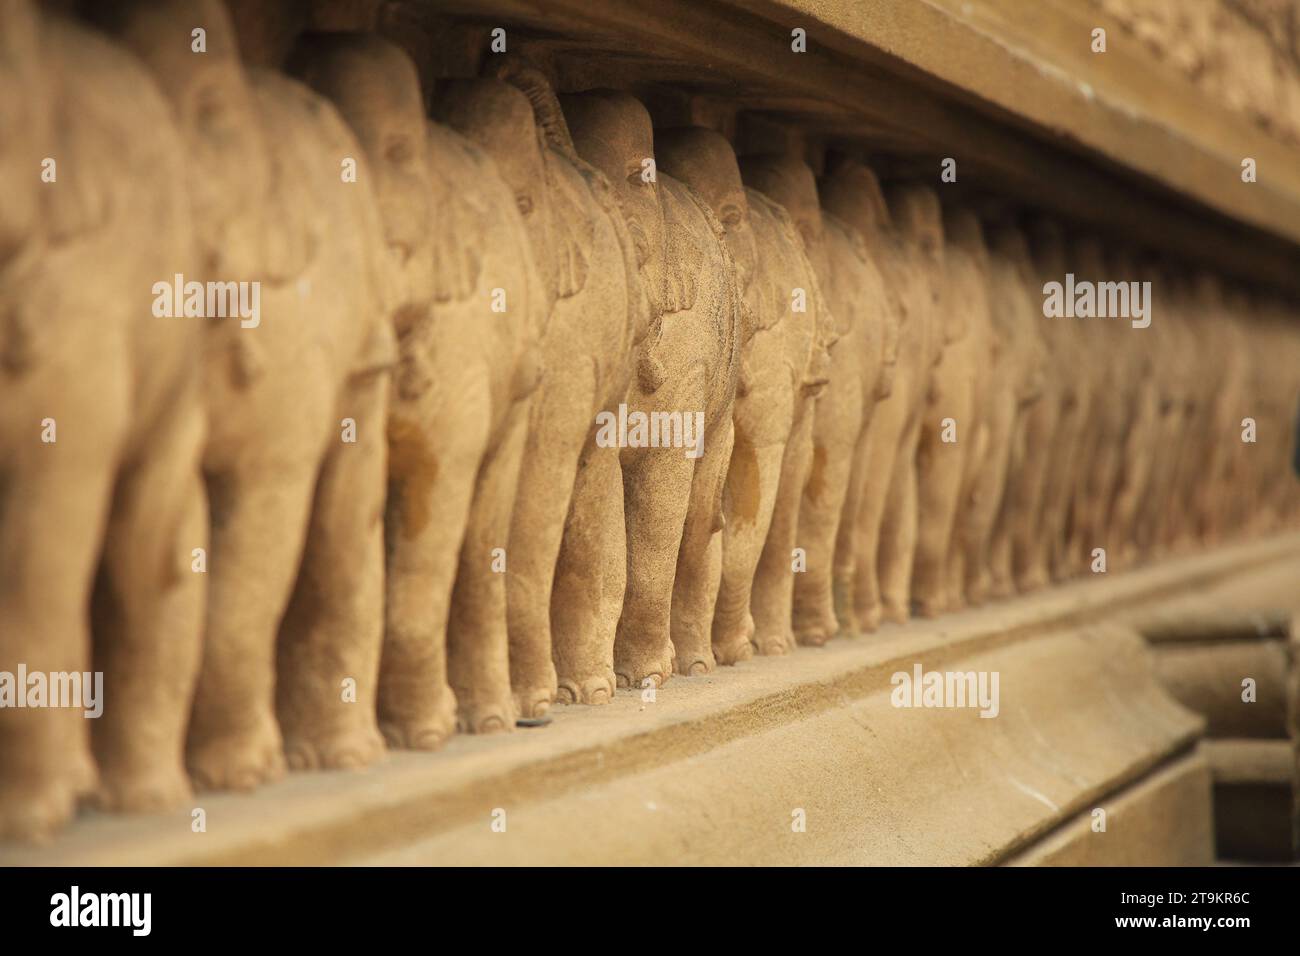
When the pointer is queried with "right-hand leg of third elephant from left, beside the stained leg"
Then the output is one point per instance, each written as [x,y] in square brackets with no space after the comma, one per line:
[478,635]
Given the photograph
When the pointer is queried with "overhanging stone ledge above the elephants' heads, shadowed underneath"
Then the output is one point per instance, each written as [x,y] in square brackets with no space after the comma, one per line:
[925,81]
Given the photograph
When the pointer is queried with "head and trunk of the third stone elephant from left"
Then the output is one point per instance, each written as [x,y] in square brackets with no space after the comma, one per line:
[376,90]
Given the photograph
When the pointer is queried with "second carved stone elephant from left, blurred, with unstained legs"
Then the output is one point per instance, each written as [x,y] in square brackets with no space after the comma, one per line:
[297,406]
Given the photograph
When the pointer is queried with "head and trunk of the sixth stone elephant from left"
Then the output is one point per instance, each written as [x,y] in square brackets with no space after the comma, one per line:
[707,162]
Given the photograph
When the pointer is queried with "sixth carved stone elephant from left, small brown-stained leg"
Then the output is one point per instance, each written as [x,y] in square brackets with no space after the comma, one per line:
[783,366]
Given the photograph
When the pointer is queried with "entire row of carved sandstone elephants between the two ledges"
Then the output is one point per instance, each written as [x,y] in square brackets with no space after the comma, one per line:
[891,425]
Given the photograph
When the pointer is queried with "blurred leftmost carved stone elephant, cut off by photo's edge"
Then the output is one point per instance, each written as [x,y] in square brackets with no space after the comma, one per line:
[101,432]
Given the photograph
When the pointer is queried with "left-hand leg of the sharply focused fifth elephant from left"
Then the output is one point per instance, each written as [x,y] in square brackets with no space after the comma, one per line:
[657,495]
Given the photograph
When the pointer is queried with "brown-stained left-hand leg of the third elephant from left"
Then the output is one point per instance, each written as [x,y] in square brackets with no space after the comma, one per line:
[431,488]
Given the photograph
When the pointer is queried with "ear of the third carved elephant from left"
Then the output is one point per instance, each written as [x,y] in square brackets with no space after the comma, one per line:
[460,218]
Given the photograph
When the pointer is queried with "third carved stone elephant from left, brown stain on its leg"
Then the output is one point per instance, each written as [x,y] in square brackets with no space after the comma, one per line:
[470,322]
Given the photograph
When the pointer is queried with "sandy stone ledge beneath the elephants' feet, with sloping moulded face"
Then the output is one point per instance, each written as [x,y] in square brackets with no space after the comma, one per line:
[725,759]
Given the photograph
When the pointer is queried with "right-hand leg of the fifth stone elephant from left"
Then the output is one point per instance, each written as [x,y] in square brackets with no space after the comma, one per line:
[700,559]
